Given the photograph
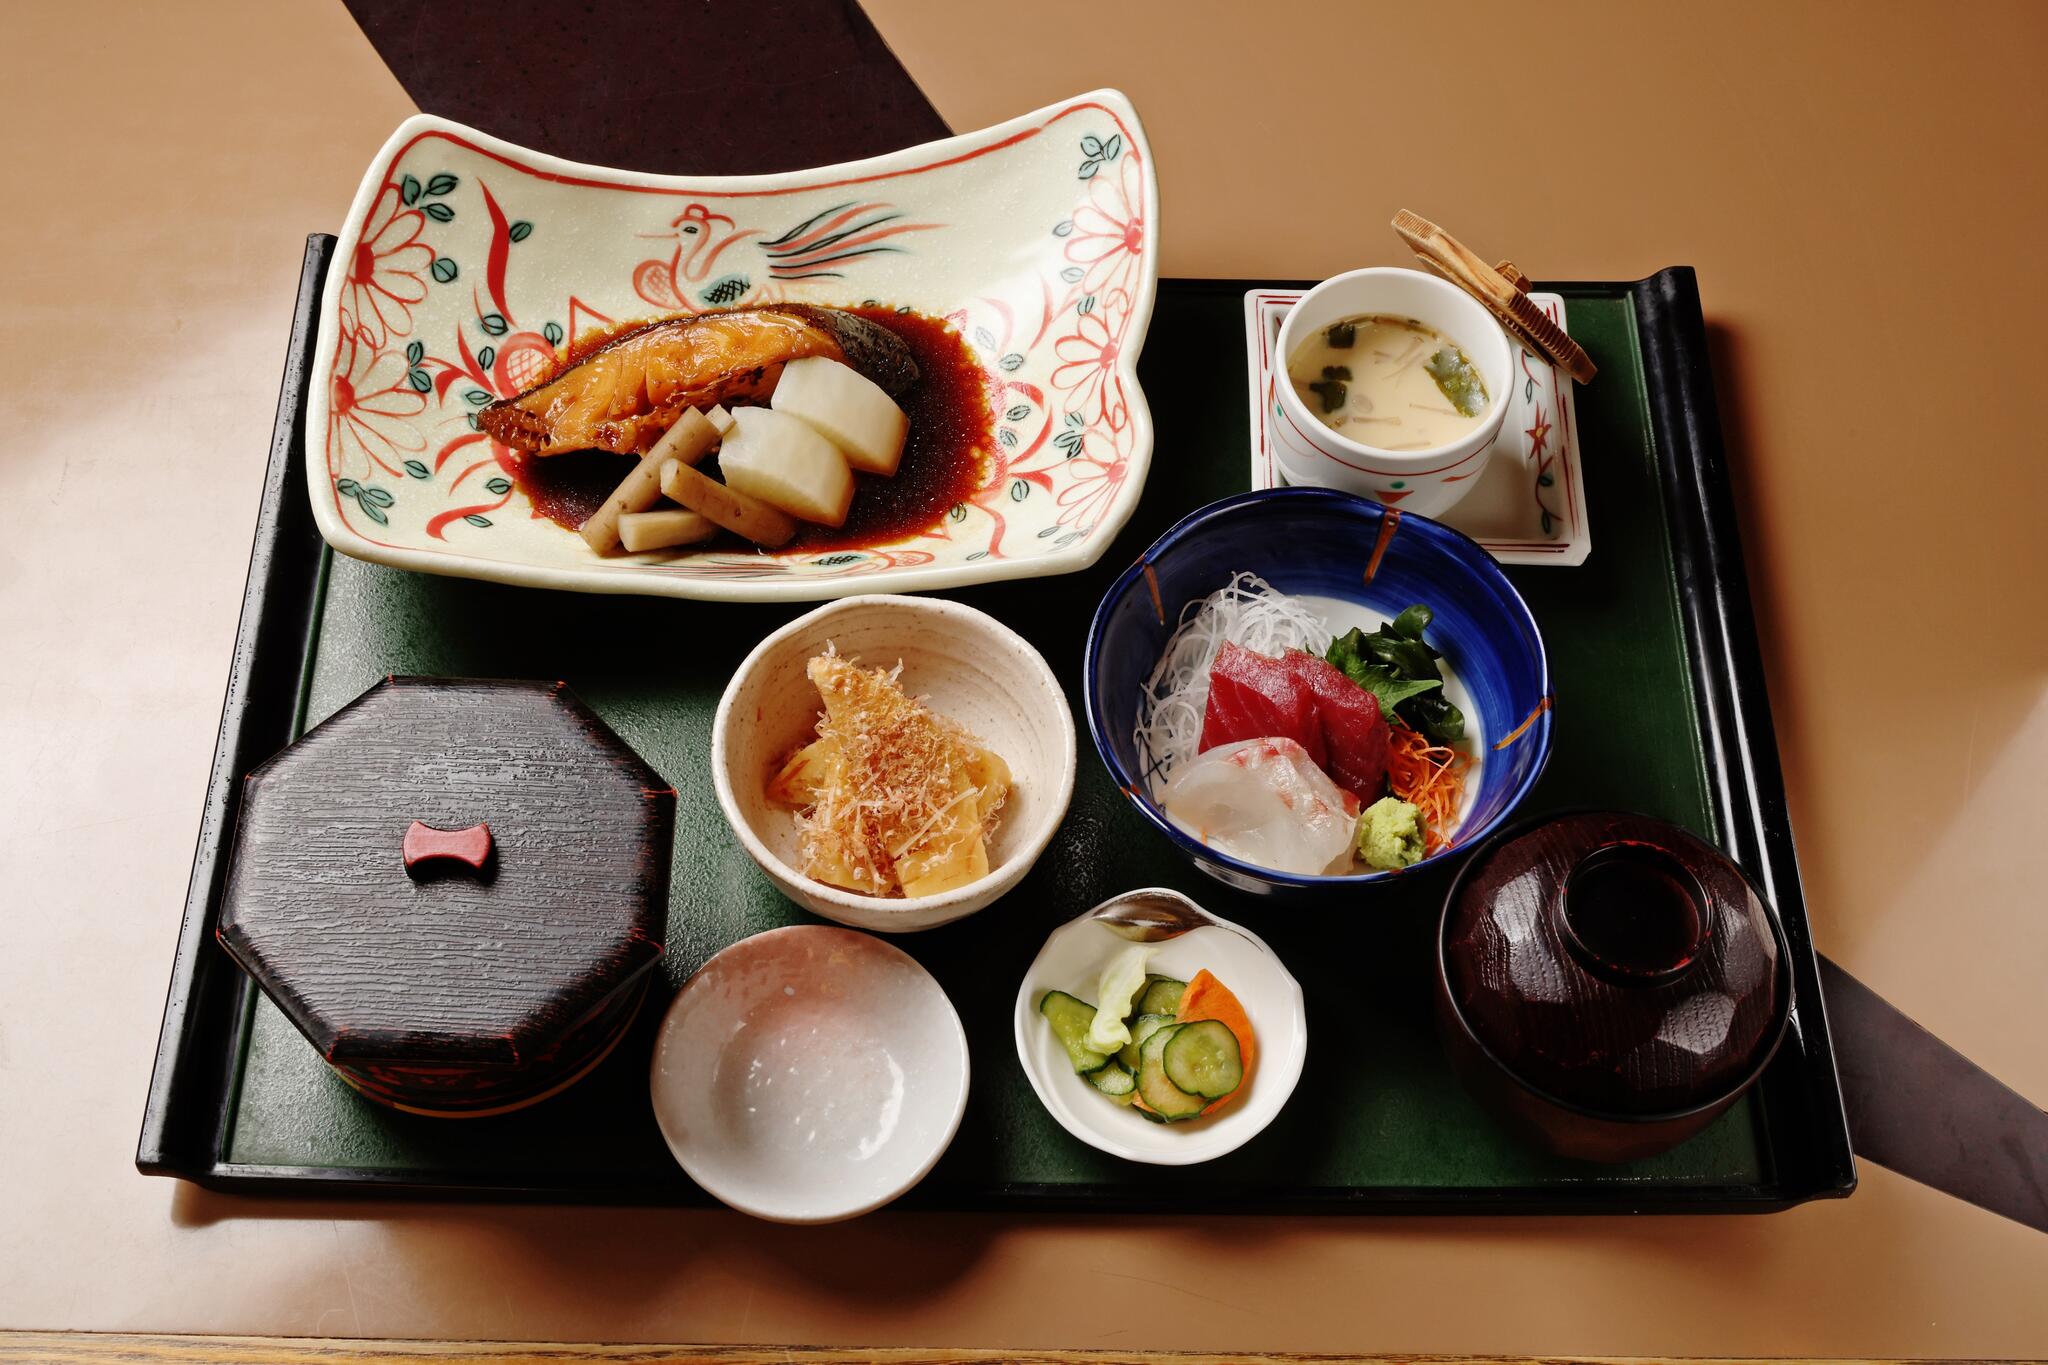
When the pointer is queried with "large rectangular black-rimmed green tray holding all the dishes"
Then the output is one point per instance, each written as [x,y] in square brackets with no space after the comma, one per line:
[1662,709]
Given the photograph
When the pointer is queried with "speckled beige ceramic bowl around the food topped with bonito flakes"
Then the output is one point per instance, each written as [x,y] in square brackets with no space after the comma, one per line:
[968,668]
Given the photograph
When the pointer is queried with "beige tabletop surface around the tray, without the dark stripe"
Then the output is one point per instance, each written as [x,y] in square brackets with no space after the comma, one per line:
[1863,195]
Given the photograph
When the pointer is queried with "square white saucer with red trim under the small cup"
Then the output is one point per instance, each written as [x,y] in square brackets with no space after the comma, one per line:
[1529,507]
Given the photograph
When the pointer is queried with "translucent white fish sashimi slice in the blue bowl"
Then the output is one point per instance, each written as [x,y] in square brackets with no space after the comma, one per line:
[1267,803]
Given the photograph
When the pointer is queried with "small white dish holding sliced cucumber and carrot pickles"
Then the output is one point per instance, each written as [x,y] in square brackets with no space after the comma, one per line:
[1074,959]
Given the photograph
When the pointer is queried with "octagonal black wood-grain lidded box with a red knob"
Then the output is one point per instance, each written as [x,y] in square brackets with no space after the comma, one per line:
[454,889]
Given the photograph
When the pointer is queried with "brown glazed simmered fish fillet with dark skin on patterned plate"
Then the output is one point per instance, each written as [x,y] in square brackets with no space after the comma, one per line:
[628,392]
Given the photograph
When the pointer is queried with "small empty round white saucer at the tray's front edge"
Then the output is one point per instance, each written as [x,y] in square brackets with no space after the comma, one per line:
[810,1075]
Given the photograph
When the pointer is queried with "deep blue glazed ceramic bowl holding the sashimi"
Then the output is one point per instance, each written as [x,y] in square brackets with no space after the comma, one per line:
[1320,543]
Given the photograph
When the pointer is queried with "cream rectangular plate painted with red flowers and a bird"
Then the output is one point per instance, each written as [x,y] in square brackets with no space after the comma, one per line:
[466,265]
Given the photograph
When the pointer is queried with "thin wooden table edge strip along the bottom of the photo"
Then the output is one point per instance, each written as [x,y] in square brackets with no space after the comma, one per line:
[179,1350]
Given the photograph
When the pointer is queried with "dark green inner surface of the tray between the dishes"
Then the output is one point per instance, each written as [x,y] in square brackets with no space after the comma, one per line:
[1377,1112]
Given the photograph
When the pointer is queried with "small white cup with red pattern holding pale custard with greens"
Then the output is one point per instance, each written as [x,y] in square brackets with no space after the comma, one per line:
[1428,482]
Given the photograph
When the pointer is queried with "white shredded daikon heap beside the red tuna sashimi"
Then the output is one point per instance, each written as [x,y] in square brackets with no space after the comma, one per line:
[1248,611]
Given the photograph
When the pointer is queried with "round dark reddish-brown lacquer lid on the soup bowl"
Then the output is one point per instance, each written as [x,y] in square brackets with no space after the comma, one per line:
[1617,965]
